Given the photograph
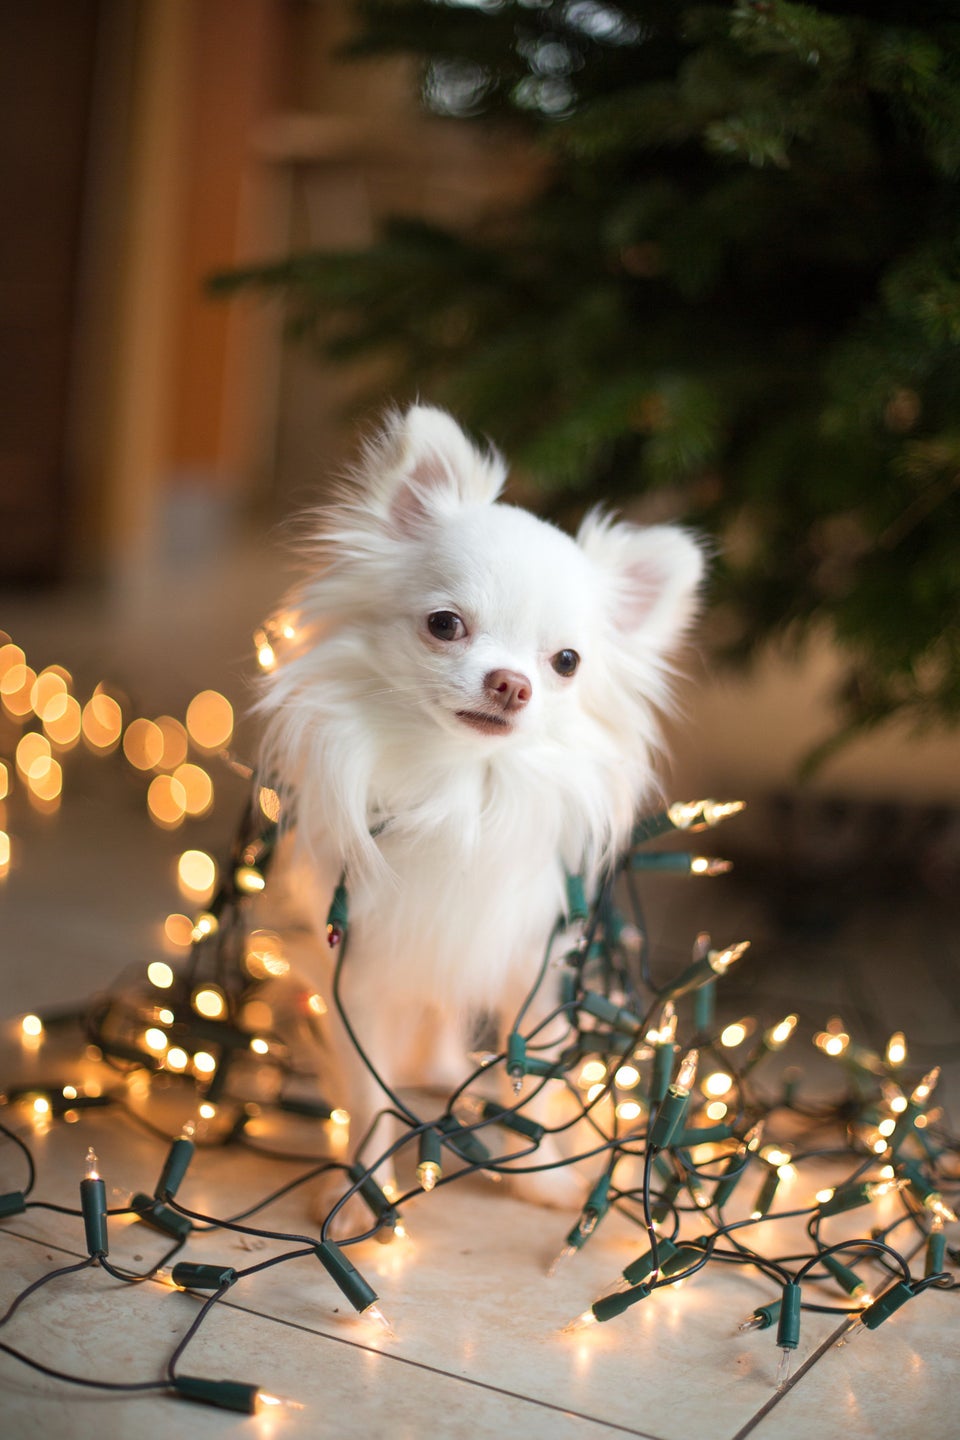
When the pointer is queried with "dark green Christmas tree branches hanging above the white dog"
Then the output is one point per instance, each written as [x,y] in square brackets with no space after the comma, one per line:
[739,286]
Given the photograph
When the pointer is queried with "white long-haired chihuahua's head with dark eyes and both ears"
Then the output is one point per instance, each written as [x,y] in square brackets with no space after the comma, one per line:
[500,629]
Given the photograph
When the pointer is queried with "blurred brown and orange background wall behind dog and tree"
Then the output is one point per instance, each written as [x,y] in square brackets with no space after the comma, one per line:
[149,143]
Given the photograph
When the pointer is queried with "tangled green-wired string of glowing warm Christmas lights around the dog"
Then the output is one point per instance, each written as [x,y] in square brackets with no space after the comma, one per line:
[674,1134]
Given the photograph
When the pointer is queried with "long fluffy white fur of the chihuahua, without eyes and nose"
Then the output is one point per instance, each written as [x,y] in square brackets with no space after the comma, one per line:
[456,840]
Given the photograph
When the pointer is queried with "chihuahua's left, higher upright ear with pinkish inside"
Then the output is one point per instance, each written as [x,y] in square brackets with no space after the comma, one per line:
[427,466]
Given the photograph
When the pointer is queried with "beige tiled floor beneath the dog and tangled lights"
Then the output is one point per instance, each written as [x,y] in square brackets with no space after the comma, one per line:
[479,1347]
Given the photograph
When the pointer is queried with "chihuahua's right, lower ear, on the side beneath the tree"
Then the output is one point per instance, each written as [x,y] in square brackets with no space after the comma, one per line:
[654,577]
